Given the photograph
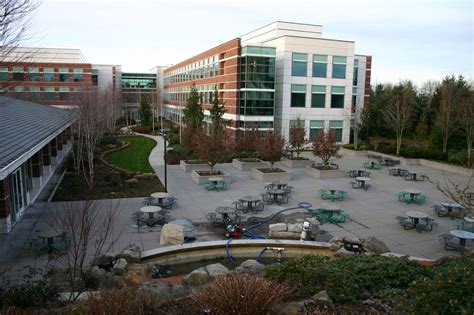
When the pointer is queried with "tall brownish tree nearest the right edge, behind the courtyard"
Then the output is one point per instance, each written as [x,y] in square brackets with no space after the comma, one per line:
[451,91]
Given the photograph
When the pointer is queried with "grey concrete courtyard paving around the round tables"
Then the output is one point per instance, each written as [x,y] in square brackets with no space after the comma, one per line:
[373,212]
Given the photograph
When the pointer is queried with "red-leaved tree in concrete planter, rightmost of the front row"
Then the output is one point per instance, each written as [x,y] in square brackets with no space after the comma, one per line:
[325,147]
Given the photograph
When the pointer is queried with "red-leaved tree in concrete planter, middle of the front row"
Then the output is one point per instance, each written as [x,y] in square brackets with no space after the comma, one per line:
[271,149]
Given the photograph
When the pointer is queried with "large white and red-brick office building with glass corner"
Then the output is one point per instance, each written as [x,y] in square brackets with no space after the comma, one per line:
[272,76]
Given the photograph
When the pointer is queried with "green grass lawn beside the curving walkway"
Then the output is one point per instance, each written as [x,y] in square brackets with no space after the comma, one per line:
[133,158]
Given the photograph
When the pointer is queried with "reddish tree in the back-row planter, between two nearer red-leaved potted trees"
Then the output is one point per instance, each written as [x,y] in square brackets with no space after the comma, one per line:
[296,144]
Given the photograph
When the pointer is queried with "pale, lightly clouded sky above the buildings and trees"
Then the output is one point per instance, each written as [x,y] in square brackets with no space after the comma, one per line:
[418,40]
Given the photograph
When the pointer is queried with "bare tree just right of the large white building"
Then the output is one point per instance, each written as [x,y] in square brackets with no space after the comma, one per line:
[399,111]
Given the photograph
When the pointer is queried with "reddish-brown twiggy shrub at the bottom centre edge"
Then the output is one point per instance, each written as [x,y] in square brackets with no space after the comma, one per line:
[240,294]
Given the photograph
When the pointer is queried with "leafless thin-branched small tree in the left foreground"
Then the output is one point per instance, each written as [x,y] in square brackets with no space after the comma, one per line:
[89,229]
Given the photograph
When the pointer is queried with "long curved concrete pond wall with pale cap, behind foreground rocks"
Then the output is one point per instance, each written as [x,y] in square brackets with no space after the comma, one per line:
[244,249]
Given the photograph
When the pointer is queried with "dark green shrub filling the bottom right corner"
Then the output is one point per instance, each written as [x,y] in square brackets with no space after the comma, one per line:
[448,291]
